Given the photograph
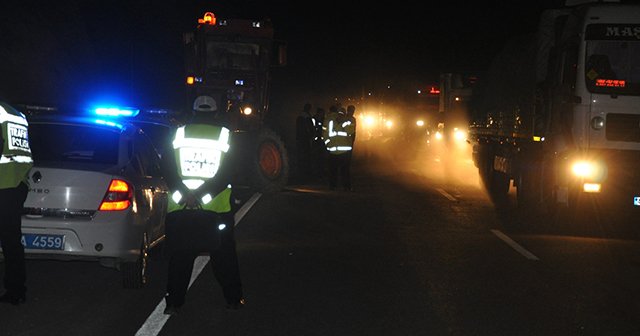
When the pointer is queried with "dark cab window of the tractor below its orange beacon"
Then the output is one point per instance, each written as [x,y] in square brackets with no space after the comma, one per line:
[236,56]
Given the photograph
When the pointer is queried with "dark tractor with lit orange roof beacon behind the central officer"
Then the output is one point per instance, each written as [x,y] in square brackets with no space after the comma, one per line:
[229,62]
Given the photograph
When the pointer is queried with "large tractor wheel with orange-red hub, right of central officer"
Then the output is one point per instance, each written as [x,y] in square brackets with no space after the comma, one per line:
[269,166]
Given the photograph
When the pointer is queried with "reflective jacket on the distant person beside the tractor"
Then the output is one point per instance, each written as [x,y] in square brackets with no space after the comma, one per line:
[338,132]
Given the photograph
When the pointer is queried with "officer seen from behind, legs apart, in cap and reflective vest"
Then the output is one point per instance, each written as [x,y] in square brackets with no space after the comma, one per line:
[205,184]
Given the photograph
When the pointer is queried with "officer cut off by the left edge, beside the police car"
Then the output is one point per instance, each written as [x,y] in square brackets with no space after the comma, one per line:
[15,163]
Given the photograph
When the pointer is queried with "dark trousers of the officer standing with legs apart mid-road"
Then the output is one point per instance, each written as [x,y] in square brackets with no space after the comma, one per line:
[224,262]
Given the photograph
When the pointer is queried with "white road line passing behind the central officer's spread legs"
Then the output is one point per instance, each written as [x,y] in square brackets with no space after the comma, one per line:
[157,319]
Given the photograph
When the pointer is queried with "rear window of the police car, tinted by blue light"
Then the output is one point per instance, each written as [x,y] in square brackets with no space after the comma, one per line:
[73,143]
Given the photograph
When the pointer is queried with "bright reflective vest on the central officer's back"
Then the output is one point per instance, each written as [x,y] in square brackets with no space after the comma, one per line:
[200,150]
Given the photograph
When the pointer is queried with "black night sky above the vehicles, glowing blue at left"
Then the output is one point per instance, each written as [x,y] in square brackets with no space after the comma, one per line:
[130,51]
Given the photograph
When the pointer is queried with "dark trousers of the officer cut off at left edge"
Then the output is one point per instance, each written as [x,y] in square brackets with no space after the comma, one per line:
[11,205]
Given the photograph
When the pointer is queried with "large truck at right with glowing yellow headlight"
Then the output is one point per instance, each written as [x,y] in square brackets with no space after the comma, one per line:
[558,112]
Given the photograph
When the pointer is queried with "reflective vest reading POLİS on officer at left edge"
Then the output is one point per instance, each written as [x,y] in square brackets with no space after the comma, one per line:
[16,160]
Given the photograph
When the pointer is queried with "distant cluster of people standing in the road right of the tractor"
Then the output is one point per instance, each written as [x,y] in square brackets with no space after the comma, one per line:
[325,143]
